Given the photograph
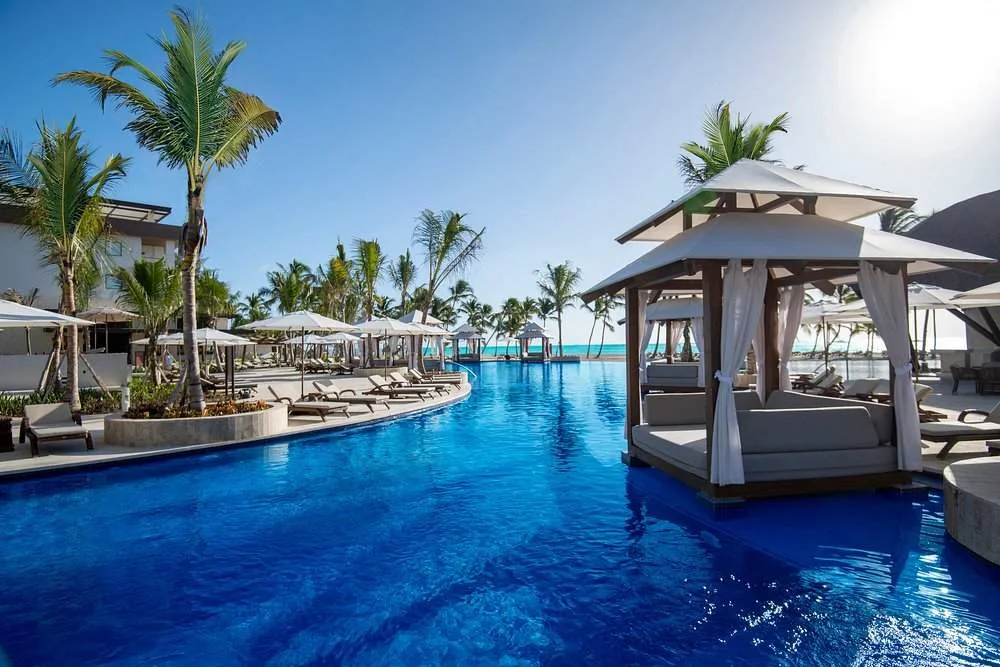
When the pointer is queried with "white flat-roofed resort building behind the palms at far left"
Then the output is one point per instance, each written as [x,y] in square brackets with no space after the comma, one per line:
[139,233]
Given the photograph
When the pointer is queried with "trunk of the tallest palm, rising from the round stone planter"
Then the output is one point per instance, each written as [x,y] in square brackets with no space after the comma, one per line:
[192,239]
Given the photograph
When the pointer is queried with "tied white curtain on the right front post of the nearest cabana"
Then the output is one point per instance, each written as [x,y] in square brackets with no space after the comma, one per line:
[885,296]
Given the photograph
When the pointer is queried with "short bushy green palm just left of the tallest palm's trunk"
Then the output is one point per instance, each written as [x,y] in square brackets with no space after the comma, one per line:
[151,290]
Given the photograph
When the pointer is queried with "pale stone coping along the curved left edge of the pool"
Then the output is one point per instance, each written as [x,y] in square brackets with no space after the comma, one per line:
[52,465]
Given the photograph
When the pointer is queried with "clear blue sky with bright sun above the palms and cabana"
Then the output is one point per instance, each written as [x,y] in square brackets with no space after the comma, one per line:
[554,124]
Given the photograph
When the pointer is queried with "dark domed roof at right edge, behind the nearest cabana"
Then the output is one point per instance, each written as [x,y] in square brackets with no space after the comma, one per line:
[972,225]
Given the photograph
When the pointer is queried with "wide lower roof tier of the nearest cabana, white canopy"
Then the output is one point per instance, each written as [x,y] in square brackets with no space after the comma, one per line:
[804,238]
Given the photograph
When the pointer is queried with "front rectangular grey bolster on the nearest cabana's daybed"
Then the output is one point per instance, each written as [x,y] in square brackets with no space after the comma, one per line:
[806,430]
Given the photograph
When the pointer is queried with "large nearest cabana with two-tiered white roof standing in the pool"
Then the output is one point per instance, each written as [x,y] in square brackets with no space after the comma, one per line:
[774,441]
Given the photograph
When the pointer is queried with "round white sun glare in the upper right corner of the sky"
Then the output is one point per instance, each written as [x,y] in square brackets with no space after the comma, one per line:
[916,58]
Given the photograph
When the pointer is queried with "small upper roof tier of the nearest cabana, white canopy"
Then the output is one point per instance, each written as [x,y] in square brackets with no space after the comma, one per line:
[764,187]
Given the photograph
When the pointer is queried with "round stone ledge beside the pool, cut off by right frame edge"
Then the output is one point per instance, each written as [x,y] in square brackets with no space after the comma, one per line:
[972,505]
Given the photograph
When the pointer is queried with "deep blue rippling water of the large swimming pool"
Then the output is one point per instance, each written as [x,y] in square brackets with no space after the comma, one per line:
[500,531]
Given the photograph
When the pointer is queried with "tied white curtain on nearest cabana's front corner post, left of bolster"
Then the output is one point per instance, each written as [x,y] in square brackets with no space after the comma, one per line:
[742,303]
